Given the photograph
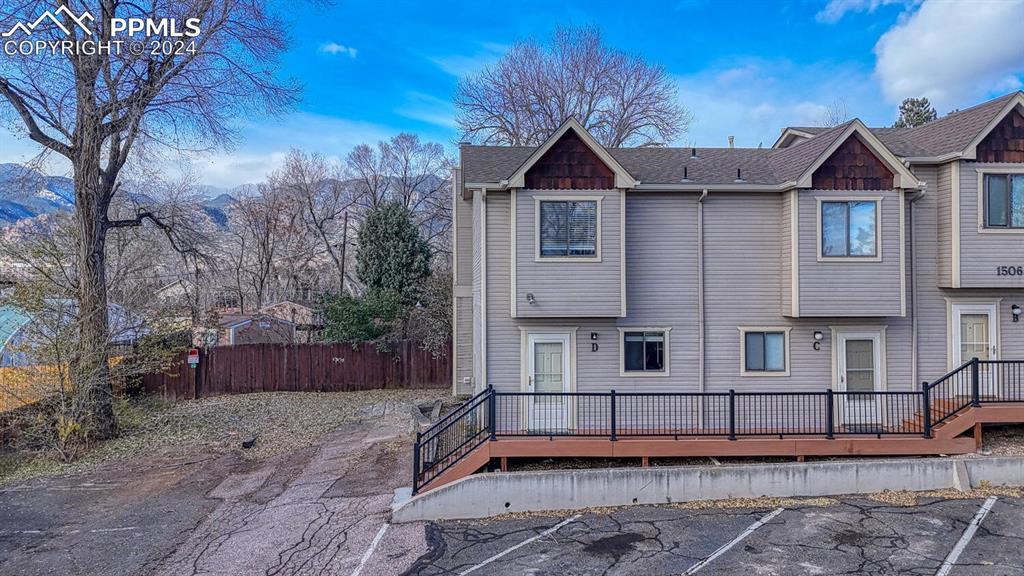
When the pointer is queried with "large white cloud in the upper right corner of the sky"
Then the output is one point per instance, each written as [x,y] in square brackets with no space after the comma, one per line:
[954,53]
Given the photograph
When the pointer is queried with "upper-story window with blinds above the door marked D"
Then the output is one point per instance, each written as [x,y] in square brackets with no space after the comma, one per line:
[569,229]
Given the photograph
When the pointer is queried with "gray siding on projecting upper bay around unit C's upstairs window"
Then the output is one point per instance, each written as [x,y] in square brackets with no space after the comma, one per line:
[850,289]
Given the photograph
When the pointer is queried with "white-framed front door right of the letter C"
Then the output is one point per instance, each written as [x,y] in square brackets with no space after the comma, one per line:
[860,371]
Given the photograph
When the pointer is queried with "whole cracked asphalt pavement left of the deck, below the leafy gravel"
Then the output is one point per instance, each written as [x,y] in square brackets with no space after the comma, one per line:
[319,511]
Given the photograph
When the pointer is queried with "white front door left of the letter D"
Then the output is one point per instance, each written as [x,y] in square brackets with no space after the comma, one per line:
[548,374]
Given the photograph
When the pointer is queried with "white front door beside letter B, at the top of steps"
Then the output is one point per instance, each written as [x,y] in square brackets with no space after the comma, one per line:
[974,328]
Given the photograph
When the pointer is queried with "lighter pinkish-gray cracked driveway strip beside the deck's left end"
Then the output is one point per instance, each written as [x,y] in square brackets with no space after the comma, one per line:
[323,518]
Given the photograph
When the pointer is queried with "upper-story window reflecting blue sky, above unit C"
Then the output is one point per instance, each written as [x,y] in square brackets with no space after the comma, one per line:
[849,229]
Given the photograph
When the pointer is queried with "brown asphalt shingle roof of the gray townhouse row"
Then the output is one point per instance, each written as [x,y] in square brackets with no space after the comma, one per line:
[758,167]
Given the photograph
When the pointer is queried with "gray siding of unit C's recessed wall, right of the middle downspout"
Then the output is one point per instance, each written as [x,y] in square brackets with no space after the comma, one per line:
[742,291]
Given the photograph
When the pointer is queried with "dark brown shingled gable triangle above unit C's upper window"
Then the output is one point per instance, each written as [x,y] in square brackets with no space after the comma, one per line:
[852,167]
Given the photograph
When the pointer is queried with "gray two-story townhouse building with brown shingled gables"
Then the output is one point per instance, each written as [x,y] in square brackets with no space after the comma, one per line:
[852,260]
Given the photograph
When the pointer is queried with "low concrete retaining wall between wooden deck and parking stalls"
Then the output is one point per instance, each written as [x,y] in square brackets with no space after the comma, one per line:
[491,495]
